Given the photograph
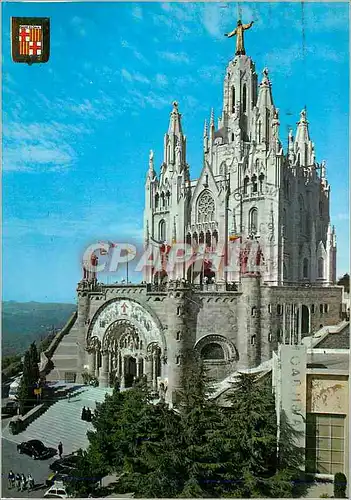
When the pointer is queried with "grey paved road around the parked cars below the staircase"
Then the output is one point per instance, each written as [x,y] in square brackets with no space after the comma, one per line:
[11,459]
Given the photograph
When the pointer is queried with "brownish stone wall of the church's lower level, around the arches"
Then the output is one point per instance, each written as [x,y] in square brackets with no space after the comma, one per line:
[245,323]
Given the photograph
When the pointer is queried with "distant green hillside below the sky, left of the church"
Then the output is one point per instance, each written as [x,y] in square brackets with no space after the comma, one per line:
[25,322]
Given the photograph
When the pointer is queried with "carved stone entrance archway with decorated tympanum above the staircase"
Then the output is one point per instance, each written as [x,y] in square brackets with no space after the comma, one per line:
[127,343]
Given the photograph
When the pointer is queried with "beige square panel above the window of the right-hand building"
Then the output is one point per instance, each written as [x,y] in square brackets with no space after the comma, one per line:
[329,396]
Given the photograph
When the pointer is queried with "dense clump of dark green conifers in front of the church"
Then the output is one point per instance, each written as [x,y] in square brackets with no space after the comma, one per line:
[198,449]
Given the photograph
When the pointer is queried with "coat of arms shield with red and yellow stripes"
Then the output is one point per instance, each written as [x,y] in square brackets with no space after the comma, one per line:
[30,39]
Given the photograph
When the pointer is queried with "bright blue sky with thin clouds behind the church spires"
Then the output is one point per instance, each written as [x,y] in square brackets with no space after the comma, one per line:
[78,129]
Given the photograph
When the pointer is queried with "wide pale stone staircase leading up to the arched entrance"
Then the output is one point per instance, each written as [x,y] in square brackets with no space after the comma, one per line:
[62,421]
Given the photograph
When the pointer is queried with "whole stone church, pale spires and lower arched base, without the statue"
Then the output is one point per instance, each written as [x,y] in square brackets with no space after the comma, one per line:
[267,207]
